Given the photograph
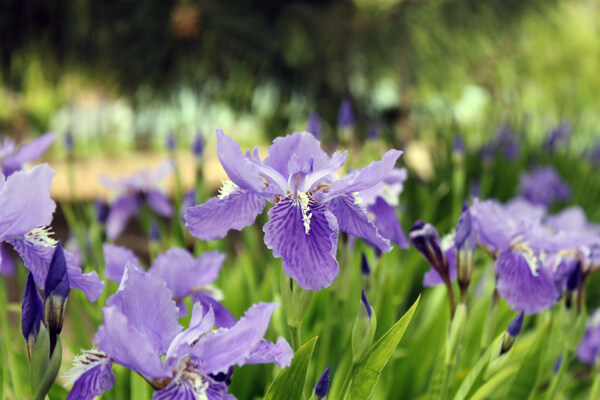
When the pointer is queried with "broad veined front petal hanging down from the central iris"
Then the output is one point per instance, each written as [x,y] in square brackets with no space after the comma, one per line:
[307,244]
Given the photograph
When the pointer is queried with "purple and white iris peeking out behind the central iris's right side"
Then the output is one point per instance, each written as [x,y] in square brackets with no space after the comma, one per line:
[380,201]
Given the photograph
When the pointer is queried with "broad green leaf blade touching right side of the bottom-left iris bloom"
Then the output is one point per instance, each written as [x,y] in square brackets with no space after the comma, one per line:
[289,384]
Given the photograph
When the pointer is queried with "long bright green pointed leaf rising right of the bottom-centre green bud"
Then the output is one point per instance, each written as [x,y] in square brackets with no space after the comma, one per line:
[370,367]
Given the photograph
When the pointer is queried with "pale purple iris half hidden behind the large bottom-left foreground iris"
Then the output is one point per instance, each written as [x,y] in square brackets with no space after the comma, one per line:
[185,276]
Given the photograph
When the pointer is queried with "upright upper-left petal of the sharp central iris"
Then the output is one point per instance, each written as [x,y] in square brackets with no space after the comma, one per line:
[238,168]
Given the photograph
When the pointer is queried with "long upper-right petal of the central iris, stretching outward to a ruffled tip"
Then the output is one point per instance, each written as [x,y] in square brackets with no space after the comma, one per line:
[366,177]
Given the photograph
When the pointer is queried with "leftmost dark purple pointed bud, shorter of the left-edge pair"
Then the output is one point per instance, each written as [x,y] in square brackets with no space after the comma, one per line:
[32,314]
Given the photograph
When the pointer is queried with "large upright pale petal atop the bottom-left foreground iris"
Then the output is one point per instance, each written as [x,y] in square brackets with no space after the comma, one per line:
[147,304]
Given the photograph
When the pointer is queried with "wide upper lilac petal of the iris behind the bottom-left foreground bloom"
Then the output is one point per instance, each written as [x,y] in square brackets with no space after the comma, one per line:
[183,273]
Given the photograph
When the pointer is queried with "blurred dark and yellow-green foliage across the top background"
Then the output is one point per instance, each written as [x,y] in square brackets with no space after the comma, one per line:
[130,71]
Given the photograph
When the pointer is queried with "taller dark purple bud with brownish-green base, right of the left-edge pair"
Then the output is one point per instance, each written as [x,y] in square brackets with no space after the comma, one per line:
[56,292]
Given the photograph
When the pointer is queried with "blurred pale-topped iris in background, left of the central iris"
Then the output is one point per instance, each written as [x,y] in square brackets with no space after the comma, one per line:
[133,192]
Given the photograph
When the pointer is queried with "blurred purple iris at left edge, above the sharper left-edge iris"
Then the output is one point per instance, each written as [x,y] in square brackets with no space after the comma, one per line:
[12,159]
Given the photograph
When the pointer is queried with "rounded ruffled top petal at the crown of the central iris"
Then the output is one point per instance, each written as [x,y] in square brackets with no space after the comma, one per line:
[303,144]
